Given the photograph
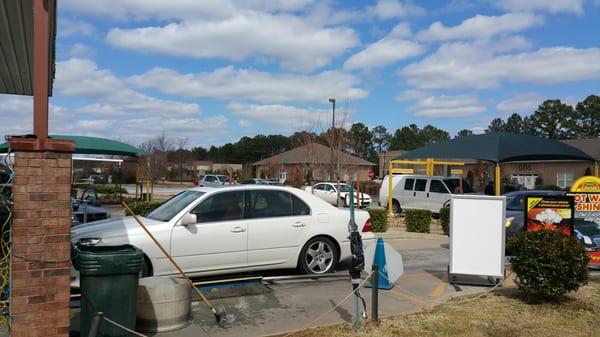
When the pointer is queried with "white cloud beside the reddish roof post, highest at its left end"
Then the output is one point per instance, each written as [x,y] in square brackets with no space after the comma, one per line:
[82,78]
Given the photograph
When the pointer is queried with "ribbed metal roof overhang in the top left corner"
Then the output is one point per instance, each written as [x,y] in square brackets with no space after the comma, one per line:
[16,46]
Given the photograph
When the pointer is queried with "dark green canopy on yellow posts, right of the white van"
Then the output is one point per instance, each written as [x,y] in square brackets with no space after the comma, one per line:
[498,148]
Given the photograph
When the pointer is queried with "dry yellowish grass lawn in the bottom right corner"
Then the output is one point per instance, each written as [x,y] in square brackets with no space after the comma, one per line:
[499,314]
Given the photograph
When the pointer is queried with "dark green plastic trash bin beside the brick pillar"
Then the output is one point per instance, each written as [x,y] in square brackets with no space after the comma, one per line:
[109,278]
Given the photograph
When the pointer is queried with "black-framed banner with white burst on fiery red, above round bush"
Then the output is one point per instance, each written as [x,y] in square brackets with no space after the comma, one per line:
[549,212]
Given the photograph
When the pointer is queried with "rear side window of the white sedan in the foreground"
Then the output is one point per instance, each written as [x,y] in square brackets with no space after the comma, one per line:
[268,204]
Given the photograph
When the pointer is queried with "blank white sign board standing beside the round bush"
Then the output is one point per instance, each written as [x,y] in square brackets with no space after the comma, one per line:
[477,235]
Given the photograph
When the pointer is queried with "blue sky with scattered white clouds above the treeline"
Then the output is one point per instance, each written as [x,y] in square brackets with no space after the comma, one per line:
[212,71]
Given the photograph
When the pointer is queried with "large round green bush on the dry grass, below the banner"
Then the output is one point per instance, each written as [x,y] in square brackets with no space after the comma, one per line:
[548,264]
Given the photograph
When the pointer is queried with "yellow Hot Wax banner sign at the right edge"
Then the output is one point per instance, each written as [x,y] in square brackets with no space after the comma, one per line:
[586,193]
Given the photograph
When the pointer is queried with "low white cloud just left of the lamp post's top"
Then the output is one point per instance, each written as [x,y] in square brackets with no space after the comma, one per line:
[283,116]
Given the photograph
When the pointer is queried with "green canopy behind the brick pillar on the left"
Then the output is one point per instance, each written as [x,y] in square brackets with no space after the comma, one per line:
[93,145]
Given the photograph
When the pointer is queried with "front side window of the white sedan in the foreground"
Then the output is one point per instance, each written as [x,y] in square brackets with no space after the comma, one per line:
[224,206]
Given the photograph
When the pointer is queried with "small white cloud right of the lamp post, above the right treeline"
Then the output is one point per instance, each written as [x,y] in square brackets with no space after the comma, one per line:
[442,106]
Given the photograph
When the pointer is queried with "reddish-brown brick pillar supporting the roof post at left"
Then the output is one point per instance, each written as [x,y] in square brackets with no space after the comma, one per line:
[40,267]
